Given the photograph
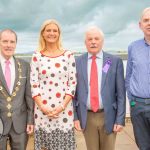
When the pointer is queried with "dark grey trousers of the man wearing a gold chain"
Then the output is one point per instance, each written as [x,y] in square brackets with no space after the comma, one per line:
[17,141]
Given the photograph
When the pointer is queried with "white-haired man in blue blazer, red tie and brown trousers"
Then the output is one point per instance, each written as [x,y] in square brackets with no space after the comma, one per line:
[99,103]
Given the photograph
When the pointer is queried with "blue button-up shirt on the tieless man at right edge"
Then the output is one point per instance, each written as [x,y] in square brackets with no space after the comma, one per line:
[138,70]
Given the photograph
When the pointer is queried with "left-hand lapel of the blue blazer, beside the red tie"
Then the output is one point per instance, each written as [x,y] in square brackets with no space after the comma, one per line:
[84,69]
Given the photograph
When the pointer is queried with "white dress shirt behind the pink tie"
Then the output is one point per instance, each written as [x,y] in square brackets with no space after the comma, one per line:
[12,69]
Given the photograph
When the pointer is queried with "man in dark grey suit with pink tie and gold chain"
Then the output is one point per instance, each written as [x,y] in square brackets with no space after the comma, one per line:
[16,104]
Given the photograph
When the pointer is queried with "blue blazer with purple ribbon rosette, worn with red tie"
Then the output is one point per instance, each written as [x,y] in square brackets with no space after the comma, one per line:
[112,91]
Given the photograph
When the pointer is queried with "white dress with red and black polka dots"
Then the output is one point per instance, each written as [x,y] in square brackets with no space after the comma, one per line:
[52,78]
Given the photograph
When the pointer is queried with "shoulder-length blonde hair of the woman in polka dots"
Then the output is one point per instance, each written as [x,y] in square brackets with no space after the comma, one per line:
[42,43]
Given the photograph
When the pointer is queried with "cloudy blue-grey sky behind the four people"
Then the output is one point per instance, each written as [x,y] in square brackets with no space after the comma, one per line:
[118,20]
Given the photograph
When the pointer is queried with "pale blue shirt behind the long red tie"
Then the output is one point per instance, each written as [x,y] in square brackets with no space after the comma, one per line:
[99,62]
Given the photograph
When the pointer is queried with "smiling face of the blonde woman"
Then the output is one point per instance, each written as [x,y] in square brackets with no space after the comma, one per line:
[51,33]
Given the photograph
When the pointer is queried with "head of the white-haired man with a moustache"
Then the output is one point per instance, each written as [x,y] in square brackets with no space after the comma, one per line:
[94,41]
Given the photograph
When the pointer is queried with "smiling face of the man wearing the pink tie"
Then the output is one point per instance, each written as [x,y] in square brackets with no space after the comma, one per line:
[7,44]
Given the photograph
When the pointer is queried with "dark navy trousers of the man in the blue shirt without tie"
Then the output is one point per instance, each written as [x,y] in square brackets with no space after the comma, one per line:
[140,117]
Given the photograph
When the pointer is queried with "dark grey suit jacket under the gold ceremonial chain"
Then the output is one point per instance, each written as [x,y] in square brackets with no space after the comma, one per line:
[22,105]
